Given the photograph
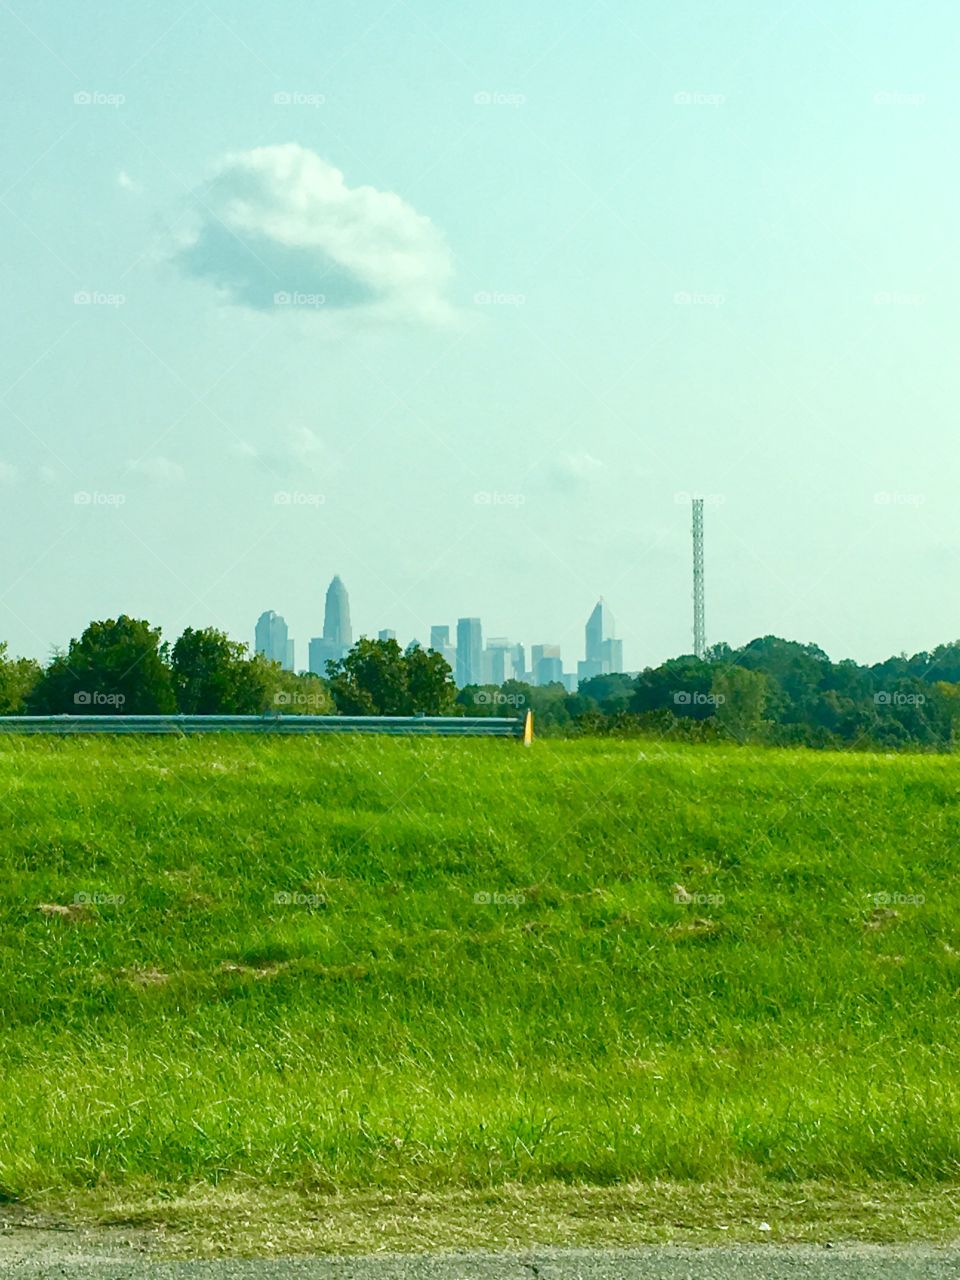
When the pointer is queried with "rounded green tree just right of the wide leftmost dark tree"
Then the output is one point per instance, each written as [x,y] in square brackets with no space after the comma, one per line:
[217,676]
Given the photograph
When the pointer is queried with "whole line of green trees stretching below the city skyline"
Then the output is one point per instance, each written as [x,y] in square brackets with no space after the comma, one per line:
[771,691]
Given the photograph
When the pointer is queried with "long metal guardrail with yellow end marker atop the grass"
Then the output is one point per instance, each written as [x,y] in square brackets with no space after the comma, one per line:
[447,726]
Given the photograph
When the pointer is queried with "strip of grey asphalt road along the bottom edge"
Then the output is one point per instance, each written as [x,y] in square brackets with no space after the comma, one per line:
[748,1263]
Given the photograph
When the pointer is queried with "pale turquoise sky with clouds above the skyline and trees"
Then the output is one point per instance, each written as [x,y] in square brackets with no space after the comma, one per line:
[464,303]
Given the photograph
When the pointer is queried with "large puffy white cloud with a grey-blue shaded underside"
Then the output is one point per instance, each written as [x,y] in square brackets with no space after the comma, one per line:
[280,230]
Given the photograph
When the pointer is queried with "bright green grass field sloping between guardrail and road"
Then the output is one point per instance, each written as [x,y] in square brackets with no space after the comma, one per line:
[456,967]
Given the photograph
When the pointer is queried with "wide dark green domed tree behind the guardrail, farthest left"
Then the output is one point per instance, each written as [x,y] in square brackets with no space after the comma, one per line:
[117,668]
